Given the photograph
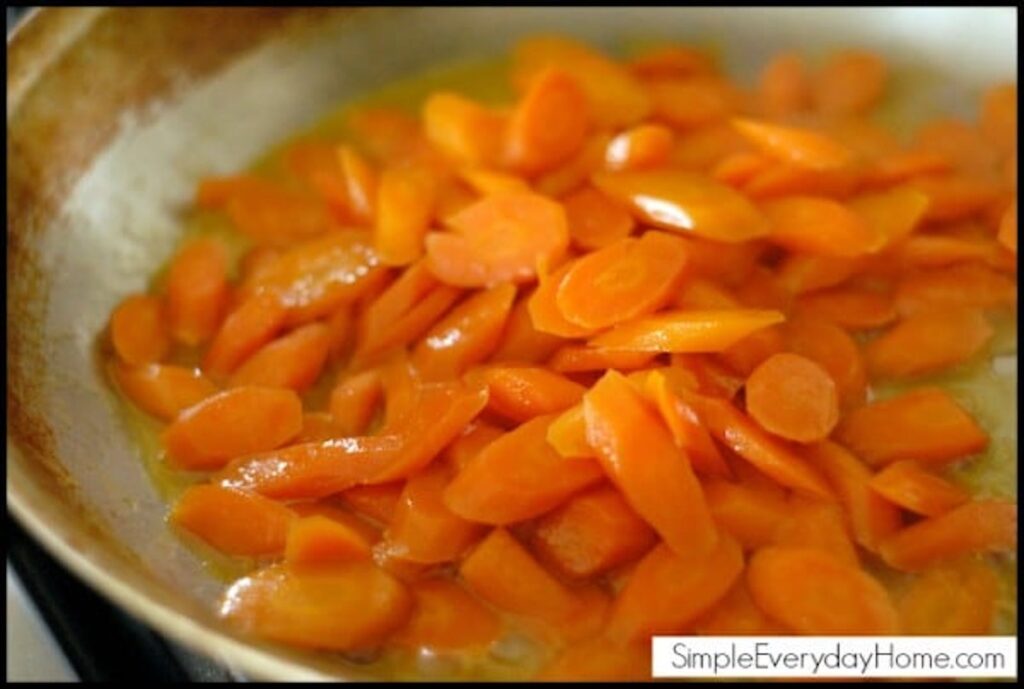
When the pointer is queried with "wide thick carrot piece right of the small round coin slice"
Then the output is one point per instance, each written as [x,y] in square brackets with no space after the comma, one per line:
[925,424]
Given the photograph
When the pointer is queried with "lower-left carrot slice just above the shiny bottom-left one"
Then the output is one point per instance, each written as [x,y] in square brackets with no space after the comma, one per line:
[234,523]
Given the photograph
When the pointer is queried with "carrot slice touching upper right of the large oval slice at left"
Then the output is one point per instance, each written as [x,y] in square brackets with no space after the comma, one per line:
[294,361]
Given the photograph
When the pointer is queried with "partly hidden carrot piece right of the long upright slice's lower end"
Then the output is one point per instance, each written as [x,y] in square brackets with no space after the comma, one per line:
[745,512]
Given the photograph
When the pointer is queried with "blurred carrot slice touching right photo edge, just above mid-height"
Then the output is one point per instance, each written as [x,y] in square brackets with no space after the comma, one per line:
[965,285]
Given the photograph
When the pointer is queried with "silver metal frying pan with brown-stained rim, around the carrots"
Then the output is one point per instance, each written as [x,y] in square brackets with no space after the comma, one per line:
[114,114]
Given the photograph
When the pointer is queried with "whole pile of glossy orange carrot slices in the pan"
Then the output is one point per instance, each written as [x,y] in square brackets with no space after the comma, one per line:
[598,364]
